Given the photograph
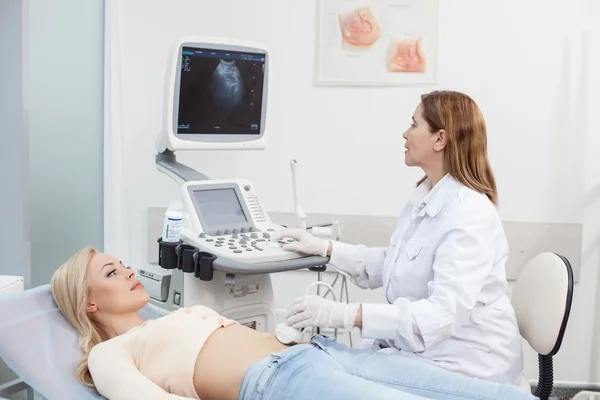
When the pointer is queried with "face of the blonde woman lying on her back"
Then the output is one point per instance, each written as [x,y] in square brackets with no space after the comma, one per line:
[113,288]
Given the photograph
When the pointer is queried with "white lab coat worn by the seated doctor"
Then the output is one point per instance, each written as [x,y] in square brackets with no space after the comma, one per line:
[443,275]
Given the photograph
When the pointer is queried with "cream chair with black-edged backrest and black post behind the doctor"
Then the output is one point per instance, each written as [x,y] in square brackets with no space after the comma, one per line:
[542,299]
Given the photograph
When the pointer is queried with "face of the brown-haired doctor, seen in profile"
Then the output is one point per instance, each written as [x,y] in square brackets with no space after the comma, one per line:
[420,141]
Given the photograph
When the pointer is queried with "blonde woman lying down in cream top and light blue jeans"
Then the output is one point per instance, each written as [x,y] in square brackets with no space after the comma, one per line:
[193,353]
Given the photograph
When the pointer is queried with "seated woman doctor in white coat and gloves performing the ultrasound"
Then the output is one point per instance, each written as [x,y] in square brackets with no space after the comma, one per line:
[443,272]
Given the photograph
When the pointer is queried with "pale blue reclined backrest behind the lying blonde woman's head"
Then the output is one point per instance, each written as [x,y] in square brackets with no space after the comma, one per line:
[40,346]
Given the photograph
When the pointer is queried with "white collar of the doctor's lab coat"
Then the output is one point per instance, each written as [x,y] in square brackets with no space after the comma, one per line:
[432,200]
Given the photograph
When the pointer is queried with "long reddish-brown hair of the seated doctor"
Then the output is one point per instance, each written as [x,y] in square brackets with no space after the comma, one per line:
[466,149]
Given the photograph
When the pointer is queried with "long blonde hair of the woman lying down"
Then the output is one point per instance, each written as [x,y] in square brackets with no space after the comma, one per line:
[69,286]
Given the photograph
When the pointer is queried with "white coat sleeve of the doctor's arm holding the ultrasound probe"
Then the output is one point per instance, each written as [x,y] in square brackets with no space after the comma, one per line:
[462,262]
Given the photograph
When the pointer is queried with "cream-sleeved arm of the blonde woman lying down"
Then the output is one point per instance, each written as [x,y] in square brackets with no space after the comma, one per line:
[117,378]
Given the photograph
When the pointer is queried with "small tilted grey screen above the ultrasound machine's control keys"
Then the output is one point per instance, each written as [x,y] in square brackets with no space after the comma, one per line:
[219,207]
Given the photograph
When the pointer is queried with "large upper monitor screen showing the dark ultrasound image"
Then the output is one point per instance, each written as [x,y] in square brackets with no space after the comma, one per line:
[220,92]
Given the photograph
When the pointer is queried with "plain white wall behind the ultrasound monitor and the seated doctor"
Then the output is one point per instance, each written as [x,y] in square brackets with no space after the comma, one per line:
[514,62]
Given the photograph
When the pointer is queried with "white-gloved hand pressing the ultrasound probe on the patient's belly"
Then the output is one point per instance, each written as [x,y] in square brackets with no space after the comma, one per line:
[317,311]
